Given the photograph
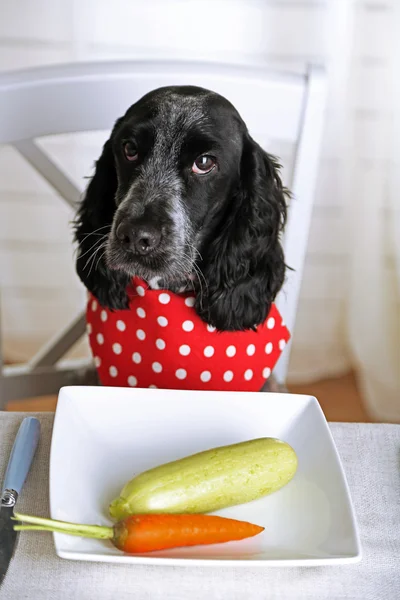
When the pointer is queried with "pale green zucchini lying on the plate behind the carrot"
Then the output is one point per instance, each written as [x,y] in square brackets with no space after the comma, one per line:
[210,480]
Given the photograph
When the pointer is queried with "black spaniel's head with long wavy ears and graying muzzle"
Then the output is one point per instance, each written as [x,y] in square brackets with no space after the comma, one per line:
[182,196]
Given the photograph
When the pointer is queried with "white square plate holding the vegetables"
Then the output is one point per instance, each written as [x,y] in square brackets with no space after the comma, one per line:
[104,436]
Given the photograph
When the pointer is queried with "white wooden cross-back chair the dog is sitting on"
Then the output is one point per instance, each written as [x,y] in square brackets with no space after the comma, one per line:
[89,97]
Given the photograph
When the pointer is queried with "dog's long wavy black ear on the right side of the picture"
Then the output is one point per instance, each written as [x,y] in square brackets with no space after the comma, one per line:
[243,264]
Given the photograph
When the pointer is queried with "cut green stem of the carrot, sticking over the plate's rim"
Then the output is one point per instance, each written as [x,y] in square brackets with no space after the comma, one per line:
[40,523]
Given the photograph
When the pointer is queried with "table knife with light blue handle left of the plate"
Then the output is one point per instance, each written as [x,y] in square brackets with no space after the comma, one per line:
[19,463]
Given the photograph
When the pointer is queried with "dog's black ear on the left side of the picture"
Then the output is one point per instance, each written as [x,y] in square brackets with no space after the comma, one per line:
[92,226]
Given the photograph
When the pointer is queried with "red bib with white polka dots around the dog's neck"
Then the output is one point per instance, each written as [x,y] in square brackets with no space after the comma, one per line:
[160,341]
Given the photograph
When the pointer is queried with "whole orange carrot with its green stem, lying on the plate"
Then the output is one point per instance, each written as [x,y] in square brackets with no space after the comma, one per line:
[150,532]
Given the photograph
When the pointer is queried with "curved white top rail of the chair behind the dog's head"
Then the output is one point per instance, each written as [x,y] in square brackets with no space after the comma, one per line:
[90,97]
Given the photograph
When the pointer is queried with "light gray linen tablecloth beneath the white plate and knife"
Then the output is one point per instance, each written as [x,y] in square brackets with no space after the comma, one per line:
[371,456]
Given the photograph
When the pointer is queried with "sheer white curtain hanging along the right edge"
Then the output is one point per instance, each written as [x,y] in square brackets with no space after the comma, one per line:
[370,189]
